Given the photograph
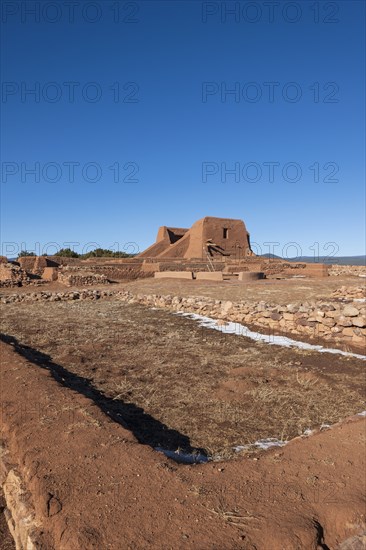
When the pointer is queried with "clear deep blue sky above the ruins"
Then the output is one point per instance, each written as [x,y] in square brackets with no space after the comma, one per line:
[177,130]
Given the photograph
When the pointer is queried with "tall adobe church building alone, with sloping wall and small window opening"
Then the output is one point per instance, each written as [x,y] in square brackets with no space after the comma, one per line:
[215,237]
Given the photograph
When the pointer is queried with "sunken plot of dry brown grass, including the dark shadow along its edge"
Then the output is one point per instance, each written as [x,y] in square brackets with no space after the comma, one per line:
[180,386]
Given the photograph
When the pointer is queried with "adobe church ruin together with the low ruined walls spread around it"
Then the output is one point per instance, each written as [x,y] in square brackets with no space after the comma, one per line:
[213,248]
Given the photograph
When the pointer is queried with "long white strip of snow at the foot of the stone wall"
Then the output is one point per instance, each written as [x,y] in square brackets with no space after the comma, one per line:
[242,330]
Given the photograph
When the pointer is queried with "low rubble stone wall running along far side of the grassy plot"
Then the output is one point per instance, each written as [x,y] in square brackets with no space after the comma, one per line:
[326,320]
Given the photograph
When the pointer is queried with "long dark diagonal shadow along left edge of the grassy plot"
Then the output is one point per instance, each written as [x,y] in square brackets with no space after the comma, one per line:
[145,428]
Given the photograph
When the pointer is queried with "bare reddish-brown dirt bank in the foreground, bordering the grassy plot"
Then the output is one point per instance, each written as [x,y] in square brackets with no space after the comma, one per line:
[92,485]
